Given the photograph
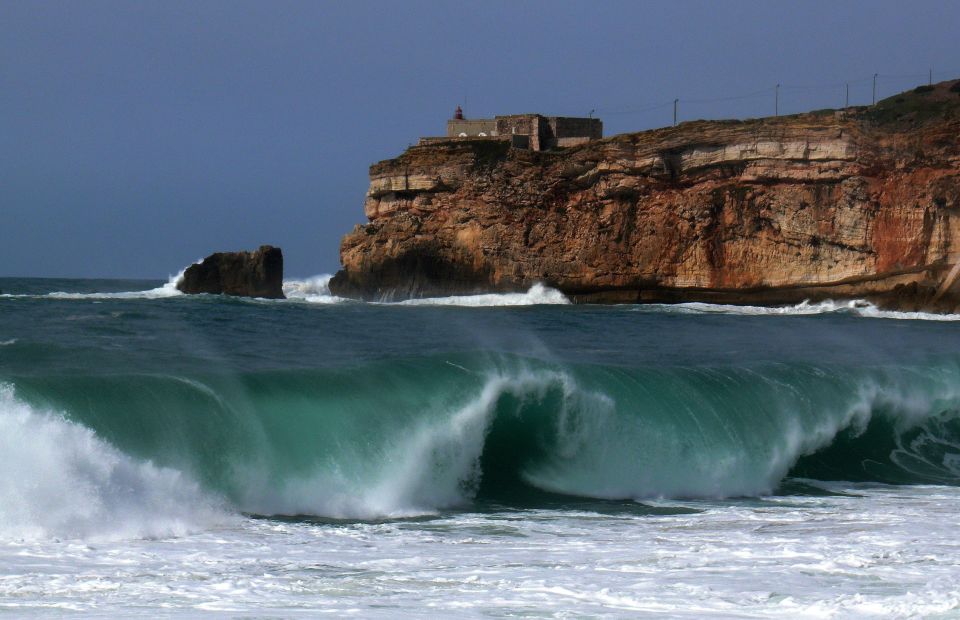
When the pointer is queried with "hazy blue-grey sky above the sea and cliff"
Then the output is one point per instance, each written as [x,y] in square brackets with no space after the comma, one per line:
[138,136]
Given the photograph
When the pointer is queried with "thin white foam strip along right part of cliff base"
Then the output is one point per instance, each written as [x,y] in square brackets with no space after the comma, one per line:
[856,307]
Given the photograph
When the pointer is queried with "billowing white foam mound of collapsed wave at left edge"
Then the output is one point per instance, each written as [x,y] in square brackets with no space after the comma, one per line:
[59,480]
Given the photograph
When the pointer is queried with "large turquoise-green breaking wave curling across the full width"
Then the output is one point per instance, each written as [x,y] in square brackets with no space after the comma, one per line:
[428,434]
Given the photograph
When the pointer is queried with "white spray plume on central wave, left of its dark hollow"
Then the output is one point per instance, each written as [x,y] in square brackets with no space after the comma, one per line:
[434,463]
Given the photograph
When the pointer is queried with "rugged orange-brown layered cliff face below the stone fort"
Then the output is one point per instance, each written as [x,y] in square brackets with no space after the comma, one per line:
[864,203]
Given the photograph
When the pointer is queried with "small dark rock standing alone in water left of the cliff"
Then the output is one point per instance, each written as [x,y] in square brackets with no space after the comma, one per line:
[245,274]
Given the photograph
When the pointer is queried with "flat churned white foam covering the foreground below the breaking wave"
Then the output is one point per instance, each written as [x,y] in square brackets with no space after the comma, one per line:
[885,552]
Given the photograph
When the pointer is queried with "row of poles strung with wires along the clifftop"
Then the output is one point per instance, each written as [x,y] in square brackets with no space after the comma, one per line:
[784,98]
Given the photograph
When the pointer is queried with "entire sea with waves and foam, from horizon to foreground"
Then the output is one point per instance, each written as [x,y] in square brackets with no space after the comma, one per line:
[164,455]
